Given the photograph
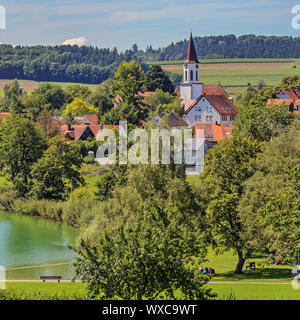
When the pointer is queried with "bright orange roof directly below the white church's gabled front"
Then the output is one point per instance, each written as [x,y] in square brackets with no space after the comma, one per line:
[213,132]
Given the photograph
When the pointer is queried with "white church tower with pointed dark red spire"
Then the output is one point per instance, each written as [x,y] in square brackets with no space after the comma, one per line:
[191,88]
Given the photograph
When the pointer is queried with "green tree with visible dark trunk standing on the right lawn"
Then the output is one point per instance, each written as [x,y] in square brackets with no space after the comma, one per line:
[228,166]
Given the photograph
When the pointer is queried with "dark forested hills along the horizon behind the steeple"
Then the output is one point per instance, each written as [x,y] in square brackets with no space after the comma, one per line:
[93,65]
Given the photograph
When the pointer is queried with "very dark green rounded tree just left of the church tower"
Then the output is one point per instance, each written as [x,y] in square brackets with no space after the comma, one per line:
[156,78]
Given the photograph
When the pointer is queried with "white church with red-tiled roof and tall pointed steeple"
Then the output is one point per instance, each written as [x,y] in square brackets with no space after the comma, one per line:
[205,104]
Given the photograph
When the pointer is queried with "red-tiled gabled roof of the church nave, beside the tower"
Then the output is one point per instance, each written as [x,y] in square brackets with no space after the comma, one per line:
[220,102]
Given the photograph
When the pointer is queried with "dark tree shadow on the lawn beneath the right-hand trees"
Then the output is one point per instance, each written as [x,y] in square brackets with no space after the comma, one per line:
[267,273]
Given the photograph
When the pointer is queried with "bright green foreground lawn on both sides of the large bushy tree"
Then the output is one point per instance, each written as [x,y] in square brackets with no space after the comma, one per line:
[272,283]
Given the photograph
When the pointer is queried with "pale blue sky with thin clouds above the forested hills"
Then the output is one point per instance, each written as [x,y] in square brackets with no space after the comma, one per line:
[120,23]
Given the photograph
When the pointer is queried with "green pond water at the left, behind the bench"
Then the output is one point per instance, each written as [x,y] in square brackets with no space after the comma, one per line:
[31,247]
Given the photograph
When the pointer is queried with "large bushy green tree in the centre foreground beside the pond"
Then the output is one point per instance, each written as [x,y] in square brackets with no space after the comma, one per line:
[143,242]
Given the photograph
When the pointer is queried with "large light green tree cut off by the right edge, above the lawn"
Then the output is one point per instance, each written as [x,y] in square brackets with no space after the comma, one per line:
[270,206]
